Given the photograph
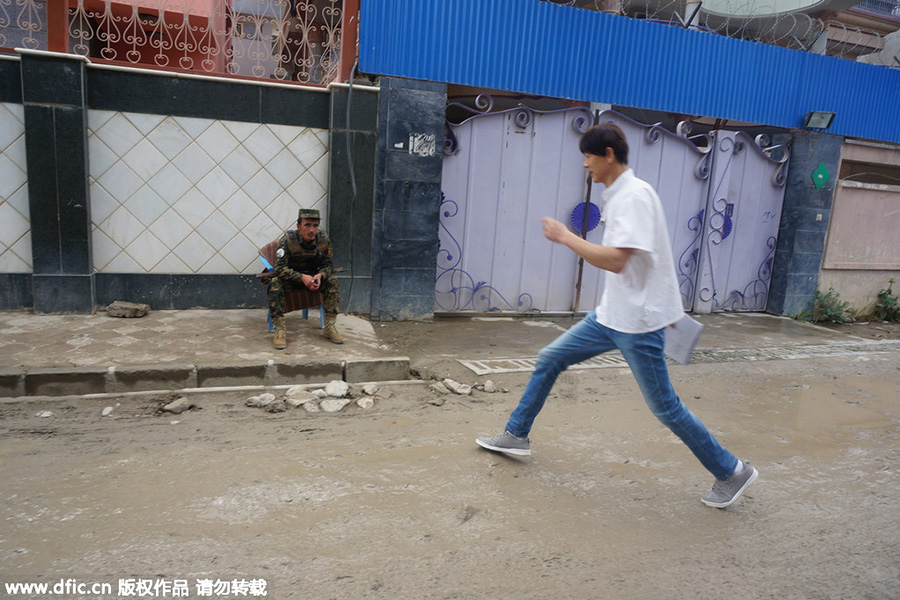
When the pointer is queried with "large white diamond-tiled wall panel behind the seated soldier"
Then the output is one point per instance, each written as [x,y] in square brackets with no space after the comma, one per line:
[183,195]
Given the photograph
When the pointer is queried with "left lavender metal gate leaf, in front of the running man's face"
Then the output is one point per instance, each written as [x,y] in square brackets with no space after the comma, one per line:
[506,171]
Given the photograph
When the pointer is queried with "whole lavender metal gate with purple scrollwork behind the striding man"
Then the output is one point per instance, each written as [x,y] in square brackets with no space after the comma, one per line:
[504,170]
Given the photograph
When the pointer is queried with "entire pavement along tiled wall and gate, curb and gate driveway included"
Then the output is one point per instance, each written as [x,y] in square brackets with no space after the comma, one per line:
[53,355]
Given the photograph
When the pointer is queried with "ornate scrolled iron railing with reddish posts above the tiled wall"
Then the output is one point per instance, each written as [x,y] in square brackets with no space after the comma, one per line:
[299,41]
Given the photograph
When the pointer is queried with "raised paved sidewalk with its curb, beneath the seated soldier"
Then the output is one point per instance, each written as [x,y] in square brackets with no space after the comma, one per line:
[53,355]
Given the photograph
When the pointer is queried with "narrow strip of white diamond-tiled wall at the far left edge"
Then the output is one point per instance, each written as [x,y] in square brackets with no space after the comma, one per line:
[15,220]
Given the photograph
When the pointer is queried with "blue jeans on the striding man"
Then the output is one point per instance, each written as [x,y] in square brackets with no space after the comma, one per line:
[645,354]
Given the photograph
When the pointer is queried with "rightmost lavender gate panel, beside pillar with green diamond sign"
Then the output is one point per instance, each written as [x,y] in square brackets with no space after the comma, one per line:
[741,225]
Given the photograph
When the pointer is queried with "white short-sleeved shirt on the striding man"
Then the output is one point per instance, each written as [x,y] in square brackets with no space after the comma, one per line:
[644,296]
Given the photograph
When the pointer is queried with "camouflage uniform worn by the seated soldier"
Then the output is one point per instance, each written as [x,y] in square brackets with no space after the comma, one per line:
[295,256]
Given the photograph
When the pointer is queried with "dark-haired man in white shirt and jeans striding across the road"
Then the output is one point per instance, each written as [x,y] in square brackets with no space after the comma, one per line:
[640,300]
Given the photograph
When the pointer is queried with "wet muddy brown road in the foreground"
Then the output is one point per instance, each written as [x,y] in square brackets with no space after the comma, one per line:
[397,502]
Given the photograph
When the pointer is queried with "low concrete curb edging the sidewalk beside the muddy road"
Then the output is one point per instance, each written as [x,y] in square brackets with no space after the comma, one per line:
[75,381]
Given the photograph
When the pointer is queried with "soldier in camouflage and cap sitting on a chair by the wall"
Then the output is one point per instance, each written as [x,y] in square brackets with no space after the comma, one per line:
[304,259]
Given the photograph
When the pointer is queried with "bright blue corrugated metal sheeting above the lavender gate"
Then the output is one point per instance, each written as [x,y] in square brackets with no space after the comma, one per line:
[547,49]
